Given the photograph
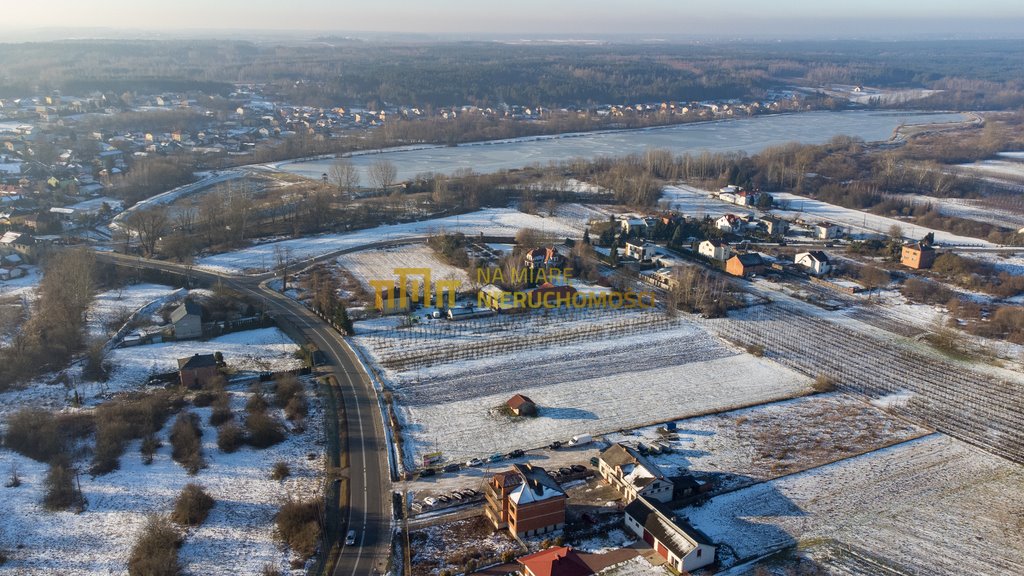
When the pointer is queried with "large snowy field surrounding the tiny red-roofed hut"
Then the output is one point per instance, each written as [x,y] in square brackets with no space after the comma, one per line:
[593,386]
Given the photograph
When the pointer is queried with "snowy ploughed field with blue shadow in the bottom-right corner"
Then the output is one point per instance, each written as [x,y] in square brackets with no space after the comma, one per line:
[934,506]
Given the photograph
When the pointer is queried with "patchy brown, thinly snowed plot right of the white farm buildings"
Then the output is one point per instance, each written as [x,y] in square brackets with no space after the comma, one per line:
[774,440]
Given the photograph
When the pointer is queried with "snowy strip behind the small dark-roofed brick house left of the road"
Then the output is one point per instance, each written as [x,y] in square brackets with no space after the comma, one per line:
[253,351]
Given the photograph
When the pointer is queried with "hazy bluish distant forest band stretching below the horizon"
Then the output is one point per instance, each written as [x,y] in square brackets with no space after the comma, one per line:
[343,72]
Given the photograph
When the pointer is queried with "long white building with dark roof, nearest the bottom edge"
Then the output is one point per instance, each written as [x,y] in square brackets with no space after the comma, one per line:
[682,547]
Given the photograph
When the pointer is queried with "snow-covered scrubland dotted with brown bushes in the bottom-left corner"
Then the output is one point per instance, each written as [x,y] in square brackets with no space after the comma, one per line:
[237,539]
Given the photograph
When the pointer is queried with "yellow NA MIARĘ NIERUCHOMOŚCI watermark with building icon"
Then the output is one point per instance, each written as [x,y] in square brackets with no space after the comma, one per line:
[413,285]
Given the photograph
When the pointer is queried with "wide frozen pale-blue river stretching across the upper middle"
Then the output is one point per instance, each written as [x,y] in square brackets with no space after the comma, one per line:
[747,135]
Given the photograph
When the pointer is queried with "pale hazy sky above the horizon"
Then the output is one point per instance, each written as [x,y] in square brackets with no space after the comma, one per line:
[677,18]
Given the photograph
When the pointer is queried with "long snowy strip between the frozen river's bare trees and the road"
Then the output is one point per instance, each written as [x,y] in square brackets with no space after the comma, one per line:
[492,222]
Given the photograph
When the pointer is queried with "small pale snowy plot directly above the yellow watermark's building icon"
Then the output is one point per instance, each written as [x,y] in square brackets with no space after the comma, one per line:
[381,264]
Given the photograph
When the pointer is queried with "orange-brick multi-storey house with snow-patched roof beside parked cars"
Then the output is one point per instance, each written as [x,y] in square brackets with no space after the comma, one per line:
[527,501]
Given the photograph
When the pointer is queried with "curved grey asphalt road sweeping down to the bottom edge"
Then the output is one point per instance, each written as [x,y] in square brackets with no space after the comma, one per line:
[368,472]
